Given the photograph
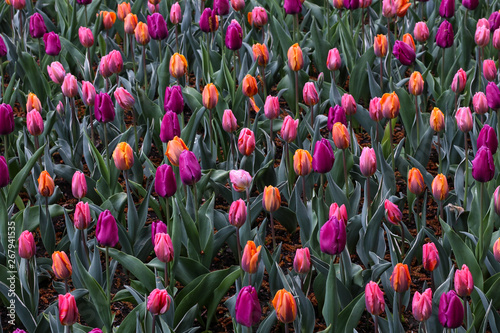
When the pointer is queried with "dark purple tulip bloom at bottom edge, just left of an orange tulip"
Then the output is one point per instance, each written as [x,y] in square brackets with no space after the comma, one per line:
[247,309]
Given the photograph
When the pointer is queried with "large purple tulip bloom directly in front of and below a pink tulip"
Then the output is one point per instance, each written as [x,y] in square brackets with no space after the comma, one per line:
[332,236]
